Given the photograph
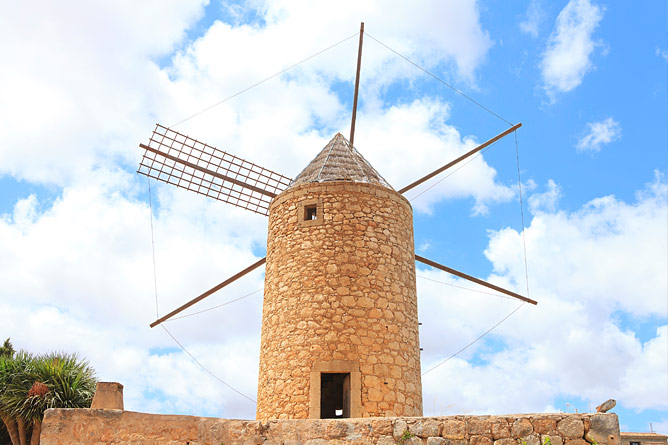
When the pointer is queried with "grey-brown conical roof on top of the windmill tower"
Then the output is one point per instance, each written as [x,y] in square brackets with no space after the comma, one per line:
[340,161]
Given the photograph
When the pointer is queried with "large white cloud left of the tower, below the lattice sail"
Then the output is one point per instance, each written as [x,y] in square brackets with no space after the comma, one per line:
[79,277]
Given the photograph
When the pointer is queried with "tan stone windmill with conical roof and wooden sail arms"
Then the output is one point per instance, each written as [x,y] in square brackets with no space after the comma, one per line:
[339,320]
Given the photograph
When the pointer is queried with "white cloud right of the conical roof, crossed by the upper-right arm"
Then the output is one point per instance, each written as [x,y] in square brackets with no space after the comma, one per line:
[387,140]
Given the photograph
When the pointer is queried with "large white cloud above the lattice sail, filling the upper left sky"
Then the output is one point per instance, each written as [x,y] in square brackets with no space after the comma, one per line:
[83,91]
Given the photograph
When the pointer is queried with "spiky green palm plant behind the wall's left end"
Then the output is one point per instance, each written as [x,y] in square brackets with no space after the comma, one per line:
[33,384]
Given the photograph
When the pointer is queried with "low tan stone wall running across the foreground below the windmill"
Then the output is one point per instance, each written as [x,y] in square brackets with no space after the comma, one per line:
[92,426]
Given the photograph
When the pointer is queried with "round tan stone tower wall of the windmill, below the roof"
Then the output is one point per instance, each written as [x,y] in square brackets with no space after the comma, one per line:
[340,297]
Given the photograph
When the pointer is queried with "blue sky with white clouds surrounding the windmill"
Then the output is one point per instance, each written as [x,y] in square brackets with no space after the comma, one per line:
[83,83]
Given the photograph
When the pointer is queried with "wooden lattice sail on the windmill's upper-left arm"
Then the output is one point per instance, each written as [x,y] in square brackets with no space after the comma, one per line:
[187,163]
